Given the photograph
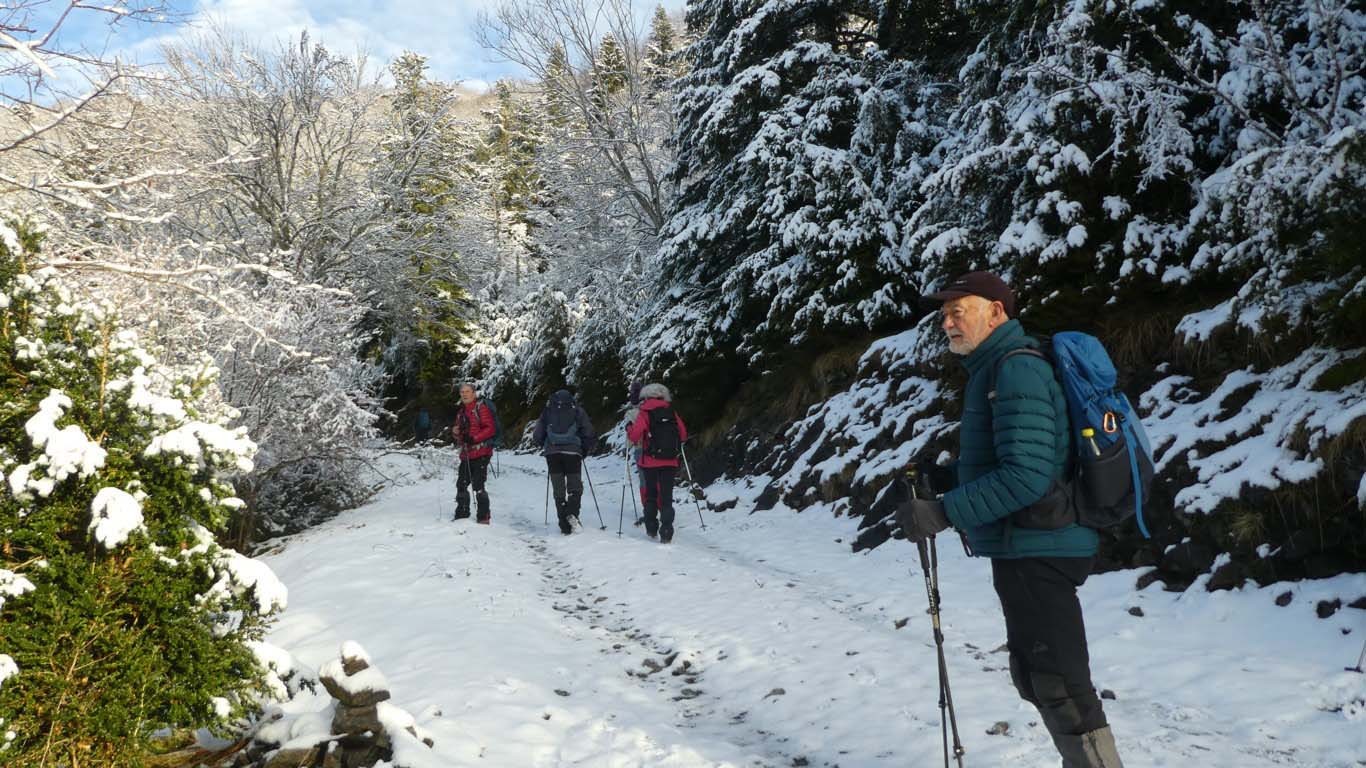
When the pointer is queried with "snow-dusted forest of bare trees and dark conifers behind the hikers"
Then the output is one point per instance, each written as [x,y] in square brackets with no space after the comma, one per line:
[744,203]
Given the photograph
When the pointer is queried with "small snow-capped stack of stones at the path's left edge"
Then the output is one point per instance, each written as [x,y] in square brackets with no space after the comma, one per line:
[357,739]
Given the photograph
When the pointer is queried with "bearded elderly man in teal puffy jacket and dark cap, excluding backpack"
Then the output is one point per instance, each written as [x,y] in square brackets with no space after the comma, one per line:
[1010,502]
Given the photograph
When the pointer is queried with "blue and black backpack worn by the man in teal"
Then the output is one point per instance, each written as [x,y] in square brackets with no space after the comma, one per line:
[1113,467]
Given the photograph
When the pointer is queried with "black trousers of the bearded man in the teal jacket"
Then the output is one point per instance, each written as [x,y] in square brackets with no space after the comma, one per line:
[1050,662]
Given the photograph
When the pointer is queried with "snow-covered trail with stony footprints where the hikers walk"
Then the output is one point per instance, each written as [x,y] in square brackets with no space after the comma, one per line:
[763,642]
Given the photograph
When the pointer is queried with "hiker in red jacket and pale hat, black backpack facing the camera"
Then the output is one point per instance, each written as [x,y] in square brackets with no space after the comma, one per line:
[660,433]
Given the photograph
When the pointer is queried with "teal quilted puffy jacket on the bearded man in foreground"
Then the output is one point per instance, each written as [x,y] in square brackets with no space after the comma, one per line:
[1012,450]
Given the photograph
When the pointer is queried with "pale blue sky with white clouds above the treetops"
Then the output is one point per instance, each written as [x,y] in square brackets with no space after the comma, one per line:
[443,31]
